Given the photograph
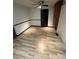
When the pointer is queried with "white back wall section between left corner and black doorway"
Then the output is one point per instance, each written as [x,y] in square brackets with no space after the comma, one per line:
[35,16]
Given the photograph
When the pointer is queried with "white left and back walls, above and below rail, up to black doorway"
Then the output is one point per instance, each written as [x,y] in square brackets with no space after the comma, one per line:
[21,14]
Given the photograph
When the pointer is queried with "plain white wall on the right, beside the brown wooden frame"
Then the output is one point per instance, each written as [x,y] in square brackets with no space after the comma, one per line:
[62,24]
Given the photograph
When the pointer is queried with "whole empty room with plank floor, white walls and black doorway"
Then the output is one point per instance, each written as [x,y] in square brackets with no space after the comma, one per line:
[39,29]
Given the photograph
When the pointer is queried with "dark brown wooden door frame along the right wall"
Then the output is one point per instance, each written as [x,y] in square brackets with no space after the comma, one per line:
[57,10]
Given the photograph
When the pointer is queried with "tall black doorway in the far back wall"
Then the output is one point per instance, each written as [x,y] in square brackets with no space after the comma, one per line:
[44,17]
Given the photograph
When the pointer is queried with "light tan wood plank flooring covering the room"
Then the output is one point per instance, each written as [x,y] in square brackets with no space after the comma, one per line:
[39,43]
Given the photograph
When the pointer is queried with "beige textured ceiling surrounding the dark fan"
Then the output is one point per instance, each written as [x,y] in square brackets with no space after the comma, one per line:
[28,3]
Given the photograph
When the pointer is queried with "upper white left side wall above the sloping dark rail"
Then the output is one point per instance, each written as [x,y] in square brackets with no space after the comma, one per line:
[20,13]
